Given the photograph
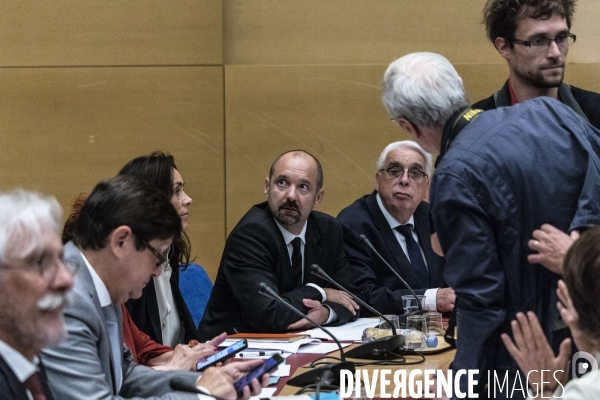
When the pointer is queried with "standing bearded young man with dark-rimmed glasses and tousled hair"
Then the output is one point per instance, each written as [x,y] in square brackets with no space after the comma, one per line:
[534,38]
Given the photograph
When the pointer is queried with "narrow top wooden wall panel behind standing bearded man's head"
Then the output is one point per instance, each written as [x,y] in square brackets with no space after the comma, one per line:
[313,32]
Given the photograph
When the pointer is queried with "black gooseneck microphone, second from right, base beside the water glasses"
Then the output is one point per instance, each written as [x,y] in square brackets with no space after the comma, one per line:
[381,349]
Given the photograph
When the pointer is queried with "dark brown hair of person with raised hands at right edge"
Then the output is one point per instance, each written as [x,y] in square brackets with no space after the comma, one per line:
[581,273]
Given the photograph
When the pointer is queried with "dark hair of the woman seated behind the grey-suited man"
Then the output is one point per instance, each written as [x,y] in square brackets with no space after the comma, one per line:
[157,169]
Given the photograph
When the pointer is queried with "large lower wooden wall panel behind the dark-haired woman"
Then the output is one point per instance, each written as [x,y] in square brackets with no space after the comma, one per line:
[64,129]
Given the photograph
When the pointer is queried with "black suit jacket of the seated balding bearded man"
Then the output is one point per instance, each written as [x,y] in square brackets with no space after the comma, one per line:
[256,252]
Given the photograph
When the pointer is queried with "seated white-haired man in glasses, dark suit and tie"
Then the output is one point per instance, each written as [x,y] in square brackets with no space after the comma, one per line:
[402,179]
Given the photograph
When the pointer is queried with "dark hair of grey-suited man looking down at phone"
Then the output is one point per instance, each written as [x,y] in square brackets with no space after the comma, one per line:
[125,200]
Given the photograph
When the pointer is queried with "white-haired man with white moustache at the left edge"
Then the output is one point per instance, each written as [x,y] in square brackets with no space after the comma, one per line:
[34,283]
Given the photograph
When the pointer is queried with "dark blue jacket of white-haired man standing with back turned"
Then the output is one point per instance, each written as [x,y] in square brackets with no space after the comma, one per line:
[506,173]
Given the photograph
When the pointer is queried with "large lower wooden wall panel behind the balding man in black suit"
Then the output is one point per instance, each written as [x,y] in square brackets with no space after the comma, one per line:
[334,112]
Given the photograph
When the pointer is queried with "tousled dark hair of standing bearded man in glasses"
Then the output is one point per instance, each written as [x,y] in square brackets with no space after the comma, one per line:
[501,16]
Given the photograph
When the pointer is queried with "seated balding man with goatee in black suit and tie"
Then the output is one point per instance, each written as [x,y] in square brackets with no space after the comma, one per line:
[276,242]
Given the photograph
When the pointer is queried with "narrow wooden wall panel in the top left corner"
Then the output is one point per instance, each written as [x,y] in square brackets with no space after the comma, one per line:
[110,32]
